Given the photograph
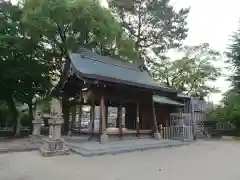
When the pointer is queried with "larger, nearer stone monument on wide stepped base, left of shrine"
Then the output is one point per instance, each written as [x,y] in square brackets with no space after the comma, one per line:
[54,145]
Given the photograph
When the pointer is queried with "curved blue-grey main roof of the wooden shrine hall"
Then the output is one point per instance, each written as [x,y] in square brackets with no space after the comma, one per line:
[92,65]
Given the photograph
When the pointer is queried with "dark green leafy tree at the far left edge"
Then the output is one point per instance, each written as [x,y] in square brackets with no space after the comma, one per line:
[23,73]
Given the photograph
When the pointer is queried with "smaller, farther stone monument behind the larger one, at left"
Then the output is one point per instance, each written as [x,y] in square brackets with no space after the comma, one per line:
[36,136]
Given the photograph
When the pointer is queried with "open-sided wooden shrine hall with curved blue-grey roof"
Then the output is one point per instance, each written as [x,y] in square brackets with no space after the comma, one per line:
[97,80]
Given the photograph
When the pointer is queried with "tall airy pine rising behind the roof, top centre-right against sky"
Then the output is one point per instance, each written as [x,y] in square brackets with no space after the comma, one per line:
[151,23]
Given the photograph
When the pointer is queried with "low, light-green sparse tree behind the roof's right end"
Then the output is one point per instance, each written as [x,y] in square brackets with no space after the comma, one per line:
[191,73]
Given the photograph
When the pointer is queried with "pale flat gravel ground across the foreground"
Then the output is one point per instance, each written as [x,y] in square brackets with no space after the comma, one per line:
[203,160]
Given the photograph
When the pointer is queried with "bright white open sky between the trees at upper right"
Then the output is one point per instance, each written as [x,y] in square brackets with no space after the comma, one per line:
[213,22]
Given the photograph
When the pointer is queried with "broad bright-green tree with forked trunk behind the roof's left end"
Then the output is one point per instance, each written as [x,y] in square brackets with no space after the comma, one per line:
[65,26]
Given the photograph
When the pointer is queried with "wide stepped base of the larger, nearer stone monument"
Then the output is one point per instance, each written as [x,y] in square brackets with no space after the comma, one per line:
[54,148]
